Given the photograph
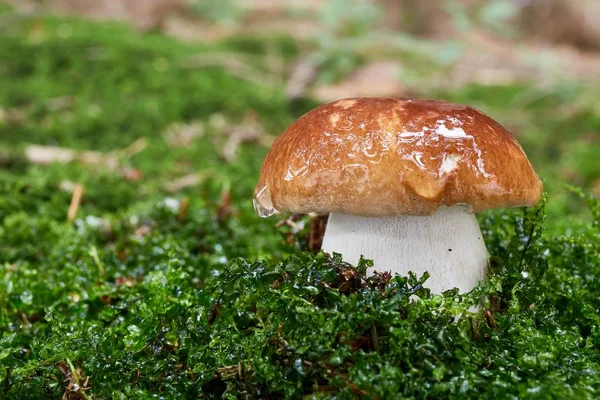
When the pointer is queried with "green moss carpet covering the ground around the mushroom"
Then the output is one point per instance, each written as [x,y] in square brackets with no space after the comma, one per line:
[134,300]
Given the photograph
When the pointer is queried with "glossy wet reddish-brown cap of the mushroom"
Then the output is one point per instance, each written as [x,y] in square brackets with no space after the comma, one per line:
[386,156]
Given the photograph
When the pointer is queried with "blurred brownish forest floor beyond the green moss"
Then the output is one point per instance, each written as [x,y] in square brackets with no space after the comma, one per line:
[389,43]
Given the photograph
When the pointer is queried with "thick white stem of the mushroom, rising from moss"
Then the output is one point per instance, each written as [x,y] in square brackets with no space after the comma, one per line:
[447,244]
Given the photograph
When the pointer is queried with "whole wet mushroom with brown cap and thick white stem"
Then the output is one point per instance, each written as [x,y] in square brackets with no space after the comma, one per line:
[401,181]
